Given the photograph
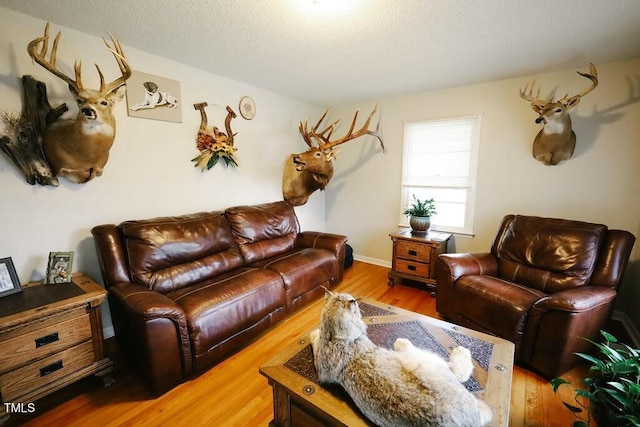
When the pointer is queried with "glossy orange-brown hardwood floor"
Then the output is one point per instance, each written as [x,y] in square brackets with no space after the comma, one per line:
[233,393]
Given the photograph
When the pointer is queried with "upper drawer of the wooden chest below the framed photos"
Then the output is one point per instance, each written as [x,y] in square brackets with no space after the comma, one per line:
[23,349]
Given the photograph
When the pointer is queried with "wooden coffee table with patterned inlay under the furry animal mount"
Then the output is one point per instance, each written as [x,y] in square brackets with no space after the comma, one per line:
[299,399]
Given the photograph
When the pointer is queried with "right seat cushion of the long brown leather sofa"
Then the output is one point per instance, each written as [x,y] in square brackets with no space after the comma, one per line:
[302,269]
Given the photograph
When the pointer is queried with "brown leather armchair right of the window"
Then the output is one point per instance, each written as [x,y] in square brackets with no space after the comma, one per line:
[545,283]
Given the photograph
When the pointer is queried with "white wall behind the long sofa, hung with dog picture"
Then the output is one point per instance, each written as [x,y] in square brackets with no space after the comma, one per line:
[149,172]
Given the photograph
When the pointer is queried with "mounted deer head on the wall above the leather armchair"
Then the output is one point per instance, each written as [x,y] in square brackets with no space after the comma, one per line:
[556,141]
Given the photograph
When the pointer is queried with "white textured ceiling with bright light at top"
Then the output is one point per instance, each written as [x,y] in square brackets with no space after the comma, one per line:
[366,50]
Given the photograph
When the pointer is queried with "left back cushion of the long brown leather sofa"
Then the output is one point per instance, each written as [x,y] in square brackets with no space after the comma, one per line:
[169,253]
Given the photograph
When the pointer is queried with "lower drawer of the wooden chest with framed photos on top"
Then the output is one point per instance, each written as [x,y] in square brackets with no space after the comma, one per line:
[28,378]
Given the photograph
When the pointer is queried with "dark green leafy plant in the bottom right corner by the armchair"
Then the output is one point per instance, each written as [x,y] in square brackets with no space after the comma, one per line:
[612,386]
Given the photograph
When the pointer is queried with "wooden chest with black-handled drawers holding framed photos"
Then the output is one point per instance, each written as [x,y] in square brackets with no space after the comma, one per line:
[50,336]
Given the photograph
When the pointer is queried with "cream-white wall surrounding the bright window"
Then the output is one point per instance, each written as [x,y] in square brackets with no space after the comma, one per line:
[601,183]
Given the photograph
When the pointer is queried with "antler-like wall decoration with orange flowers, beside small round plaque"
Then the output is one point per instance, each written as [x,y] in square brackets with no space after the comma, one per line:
[213,144]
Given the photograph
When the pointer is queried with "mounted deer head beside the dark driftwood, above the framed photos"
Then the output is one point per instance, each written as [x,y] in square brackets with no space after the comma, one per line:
[78,149]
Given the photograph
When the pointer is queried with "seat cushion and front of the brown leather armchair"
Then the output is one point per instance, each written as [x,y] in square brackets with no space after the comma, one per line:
[497,306]
